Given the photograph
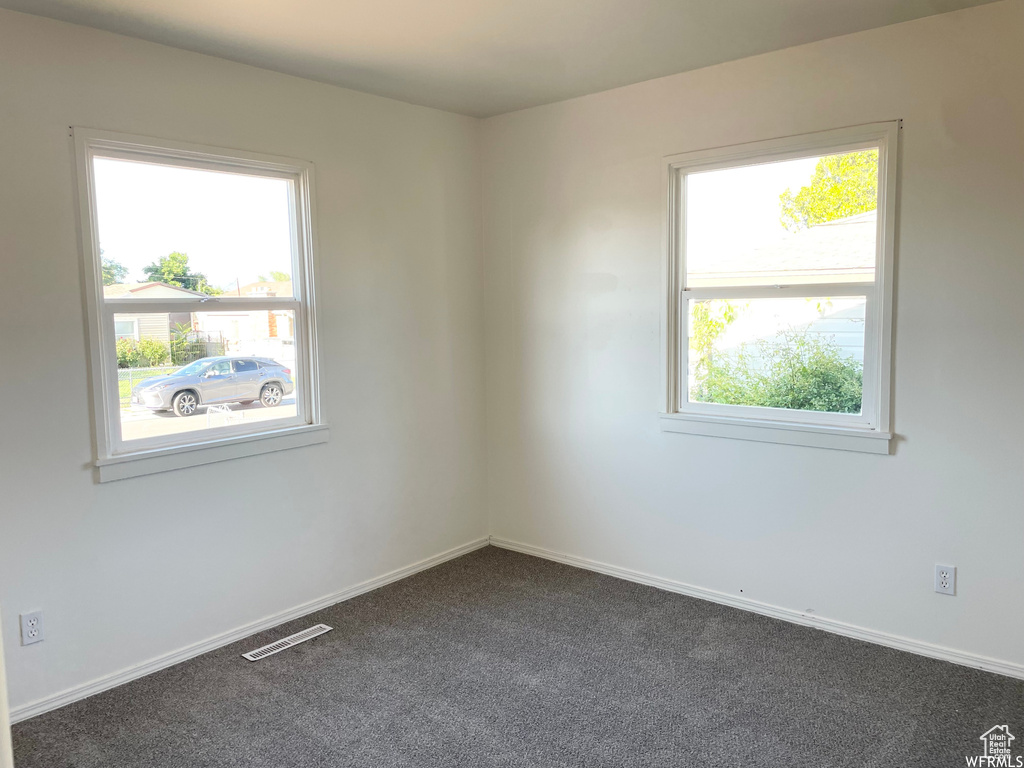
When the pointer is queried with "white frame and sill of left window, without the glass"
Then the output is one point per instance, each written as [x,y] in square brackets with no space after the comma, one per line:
[116,459]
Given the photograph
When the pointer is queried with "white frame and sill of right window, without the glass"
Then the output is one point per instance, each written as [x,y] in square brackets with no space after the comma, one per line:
[869,432]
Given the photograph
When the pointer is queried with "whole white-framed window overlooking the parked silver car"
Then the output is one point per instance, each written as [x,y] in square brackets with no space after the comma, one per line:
[203,343]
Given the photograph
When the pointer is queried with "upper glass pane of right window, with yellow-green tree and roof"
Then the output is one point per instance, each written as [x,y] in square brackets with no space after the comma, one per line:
[797,222]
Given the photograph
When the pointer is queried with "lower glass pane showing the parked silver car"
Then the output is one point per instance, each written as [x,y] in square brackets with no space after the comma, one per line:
[198,371]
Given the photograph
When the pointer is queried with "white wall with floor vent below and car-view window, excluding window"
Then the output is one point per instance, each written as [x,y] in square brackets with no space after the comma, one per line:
[130,571]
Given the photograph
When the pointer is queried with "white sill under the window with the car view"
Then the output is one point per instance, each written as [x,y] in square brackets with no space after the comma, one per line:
[165,460]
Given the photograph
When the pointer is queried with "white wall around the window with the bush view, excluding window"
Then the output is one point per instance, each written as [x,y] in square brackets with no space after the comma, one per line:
[573,231]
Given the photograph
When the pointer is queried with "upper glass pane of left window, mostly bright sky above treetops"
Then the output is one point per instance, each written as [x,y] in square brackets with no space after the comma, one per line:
[168,232]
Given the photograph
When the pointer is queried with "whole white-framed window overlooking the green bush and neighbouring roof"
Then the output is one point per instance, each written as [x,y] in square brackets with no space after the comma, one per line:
[780,290]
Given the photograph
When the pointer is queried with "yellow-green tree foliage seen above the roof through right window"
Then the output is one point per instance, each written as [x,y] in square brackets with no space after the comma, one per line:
[842,186]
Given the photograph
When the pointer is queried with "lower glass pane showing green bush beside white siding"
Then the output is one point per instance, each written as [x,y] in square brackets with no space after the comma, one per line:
[803,354]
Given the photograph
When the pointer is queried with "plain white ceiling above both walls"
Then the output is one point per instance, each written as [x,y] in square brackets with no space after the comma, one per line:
[485,58]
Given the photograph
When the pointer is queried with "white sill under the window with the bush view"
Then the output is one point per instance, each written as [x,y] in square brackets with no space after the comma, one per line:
[839,439]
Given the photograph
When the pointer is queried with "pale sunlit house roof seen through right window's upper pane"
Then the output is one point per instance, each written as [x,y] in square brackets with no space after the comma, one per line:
[836,251]
